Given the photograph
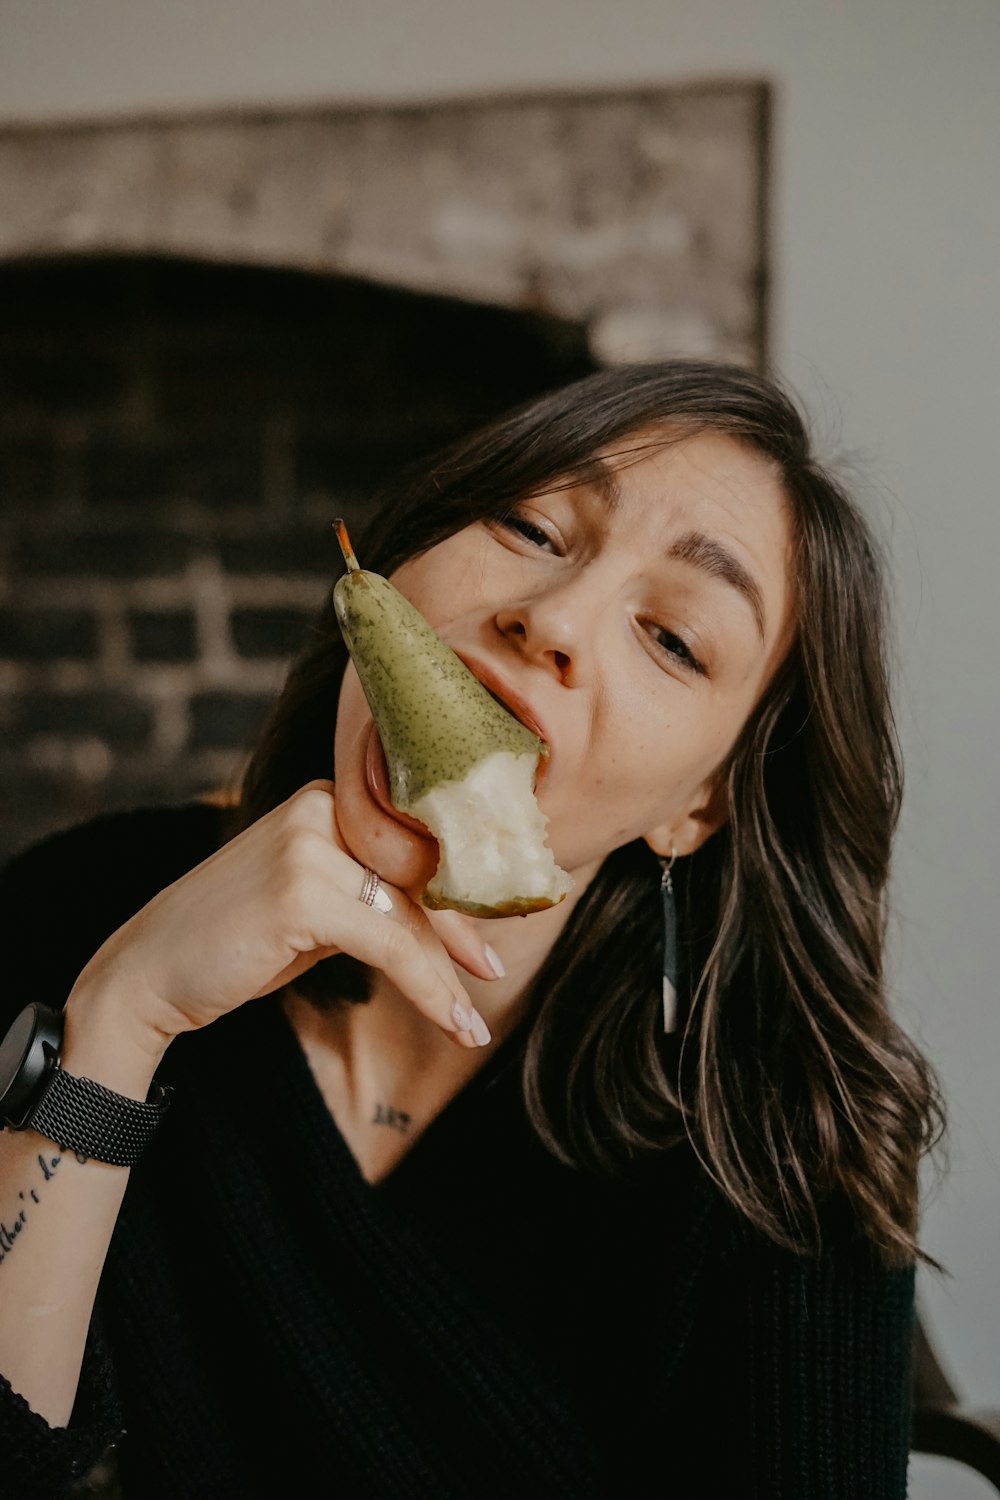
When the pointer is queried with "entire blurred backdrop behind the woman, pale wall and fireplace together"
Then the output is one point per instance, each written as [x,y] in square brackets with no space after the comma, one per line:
[254,257]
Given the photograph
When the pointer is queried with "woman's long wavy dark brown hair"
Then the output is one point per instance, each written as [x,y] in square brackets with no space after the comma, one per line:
[789,1076]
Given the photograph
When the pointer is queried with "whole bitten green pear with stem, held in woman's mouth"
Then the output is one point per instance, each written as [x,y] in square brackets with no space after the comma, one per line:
[458,761]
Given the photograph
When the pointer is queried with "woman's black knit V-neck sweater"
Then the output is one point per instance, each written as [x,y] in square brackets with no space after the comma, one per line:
[482,1324]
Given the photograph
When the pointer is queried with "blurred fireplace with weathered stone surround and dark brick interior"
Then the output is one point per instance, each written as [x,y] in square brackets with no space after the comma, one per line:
[221,332]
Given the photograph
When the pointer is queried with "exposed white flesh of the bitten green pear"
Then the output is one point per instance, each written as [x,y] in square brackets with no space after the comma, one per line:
[493,839]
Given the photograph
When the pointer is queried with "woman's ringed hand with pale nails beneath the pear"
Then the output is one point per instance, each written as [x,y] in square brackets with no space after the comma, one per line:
[257,914]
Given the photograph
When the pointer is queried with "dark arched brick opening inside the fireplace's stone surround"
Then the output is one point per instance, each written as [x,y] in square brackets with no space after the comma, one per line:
[175,443]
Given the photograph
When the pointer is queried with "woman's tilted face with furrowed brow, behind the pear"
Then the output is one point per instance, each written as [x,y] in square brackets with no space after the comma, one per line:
[635,619]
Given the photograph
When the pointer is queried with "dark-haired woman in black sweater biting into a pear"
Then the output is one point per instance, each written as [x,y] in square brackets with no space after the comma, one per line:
[440,1208]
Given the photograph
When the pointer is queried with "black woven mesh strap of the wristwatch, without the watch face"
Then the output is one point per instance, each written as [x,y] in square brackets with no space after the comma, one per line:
[82,1115]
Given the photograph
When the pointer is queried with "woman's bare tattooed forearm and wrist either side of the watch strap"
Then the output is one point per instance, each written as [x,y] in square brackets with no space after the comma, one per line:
[59,1216]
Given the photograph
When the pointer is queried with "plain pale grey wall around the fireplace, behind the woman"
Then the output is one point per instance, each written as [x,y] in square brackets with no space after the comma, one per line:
[887,302]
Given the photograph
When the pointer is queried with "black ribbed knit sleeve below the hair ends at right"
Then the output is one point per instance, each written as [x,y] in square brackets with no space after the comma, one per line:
[831,1372]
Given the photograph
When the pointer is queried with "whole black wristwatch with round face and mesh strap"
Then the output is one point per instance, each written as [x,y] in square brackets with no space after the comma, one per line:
[77,1114]
